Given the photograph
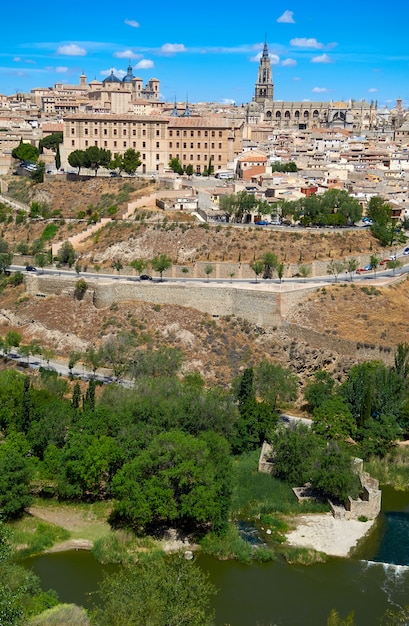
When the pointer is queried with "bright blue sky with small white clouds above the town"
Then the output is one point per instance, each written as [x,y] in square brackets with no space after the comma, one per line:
[203,51]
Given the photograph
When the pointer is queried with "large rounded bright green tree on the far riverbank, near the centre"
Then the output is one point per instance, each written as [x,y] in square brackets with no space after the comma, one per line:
[177,479]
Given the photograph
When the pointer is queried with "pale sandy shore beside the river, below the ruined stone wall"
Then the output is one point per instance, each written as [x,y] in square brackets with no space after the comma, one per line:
[325,534]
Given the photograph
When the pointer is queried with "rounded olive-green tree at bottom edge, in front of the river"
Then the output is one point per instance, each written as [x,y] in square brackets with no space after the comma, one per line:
[158,591]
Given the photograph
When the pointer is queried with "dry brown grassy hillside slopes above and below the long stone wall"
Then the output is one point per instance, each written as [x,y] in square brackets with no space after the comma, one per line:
[219,349]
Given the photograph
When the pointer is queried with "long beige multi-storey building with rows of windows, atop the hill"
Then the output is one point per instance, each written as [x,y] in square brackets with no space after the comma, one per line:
[194,141]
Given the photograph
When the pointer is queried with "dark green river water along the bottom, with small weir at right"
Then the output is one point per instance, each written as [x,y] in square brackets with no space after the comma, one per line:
[376,579]
